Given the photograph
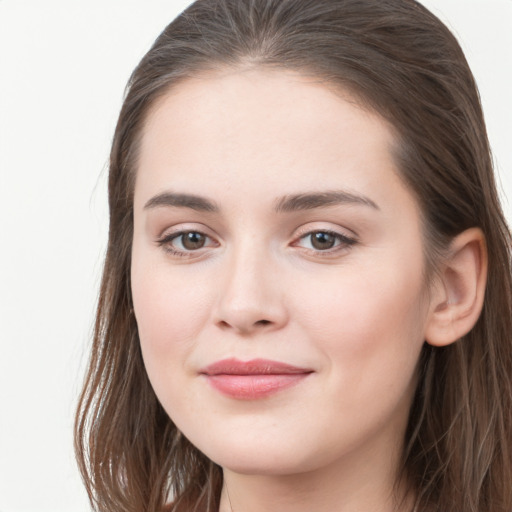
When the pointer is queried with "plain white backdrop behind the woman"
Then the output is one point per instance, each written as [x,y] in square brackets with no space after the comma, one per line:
[63,68]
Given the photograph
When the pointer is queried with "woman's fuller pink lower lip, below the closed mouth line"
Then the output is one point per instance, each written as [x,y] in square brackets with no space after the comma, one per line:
[253,387]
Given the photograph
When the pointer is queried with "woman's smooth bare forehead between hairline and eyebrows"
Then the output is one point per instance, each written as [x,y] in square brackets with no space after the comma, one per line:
[257,129]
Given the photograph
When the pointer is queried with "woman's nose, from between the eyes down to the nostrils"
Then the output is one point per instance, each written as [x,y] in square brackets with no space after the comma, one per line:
[251,298]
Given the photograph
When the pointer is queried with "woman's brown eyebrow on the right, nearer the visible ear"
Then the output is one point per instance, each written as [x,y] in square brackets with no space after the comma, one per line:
[311,201]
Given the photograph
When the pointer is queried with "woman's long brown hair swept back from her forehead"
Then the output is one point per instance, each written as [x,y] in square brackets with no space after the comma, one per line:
[403,63]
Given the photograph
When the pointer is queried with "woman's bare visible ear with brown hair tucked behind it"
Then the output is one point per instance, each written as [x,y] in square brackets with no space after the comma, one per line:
[458,295]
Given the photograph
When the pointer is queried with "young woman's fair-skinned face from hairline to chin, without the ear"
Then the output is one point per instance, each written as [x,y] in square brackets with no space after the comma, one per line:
[277,274]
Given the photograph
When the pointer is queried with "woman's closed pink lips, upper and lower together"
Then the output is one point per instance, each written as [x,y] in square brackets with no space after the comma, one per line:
[254,379]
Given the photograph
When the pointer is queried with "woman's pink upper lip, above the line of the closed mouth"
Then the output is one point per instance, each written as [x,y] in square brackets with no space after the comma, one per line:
[234,366]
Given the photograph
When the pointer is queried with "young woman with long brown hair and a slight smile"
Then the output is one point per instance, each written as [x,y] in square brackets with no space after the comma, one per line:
[306,297]
